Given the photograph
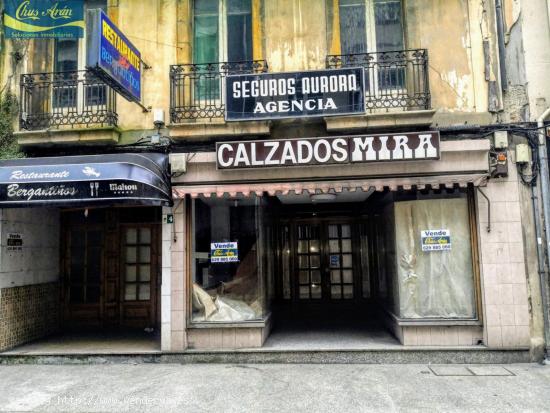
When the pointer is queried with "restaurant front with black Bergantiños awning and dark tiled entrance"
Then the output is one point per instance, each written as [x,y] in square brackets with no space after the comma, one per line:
[89,252]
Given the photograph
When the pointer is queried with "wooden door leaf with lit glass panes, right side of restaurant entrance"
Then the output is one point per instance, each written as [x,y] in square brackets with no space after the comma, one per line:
[139,262]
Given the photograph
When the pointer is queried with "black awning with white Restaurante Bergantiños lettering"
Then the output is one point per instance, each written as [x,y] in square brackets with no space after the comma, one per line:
[109,179]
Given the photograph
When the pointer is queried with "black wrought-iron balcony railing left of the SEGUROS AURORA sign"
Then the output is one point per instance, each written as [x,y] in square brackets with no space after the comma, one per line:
[196,90]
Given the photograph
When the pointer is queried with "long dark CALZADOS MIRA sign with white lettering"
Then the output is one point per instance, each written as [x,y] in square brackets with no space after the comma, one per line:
[329,150]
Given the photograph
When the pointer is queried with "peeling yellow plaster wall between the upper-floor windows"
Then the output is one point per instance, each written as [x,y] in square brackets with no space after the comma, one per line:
[298,34]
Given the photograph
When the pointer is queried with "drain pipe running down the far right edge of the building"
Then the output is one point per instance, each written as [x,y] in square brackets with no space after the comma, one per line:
[545,187]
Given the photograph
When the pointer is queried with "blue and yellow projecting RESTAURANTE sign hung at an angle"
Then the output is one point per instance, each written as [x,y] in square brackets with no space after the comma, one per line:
[112,56]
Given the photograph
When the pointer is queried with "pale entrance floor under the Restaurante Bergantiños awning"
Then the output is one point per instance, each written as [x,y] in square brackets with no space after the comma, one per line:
[92,343]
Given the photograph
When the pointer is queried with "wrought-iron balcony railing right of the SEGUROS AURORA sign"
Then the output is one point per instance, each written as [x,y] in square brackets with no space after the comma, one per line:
[393,80]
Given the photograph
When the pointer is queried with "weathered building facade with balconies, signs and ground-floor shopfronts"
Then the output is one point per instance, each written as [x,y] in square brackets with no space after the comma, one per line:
[332,163]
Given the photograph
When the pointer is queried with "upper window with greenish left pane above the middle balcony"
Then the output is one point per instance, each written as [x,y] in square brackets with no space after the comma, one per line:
[222,31]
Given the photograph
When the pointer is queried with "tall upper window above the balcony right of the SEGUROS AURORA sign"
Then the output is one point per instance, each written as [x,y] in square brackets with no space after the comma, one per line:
[368,26]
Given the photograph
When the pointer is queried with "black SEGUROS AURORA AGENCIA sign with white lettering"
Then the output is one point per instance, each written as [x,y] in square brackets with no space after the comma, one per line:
[295,94]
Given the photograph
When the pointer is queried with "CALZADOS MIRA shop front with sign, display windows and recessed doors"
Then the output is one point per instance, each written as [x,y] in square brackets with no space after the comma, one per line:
[374,232]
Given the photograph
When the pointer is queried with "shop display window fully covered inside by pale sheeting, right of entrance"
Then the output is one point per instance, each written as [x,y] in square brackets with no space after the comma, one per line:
[433,255]
